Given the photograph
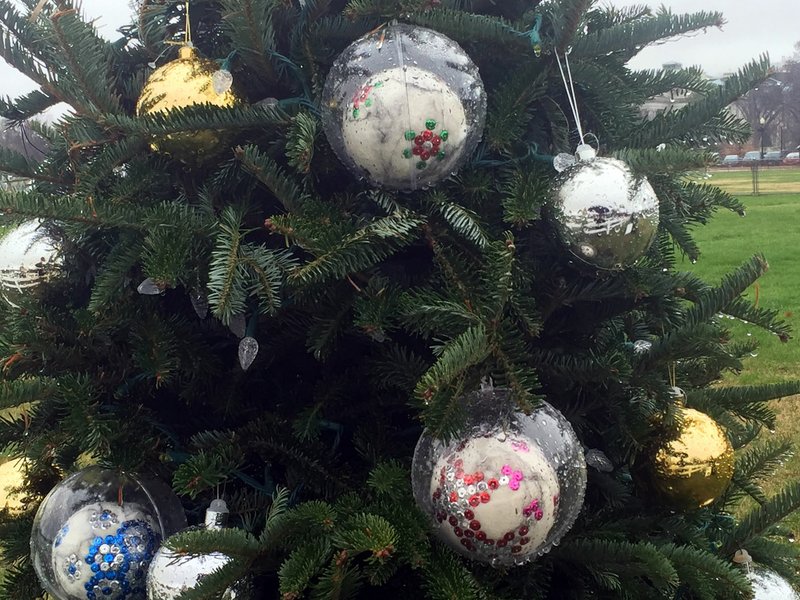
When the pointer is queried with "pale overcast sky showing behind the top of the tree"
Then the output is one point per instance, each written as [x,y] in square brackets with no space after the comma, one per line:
[754,26]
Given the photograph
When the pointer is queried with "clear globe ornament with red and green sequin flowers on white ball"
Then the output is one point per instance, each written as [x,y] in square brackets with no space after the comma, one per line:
[404,107]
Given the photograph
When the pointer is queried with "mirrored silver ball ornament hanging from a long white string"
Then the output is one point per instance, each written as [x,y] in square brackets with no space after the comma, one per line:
[603,214]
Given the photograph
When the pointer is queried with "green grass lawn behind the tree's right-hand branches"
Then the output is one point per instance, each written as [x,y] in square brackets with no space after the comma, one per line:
[771,227]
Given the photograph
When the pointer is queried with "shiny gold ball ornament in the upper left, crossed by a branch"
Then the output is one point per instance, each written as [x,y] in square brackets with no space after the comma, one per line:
[186,81]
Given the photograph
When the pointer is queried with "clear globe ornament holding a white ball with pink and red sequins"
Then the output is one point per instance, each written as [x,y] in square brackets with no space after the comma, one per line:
[508,489]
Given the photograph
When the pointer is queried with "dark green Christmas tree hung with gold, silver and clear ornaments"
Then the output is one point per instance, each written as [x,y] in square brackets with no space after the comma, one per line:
[262,298]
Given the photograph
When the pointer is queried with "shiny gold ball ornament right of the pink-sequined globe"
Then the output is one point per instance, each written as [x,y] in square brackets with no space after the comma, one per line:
[693,466]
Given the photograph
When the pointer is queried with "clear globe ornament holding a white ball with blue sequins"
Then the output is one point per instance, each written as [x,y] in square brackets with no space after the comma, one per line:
[96,532]
